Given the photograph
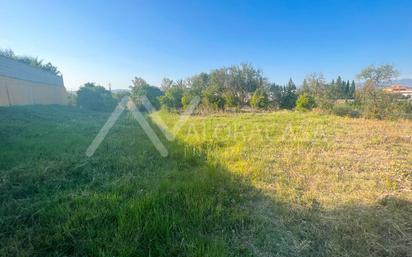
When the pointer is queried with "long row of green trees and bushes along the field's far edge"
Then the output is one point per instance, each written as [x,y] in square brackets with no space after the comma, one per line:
[241,87]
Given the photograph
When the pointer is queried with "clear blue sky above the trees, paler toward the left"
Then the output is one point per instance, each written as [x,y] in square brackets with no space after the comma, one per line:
[111,42]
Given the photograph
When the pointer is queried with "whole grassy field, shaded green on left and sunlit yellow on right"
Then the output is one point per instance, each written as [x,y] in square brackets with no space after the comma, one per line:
[267,184]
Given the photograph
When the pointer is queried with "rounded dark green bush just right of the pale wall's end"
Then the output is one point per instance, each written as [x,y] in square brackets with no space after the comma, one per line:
[96,98]
